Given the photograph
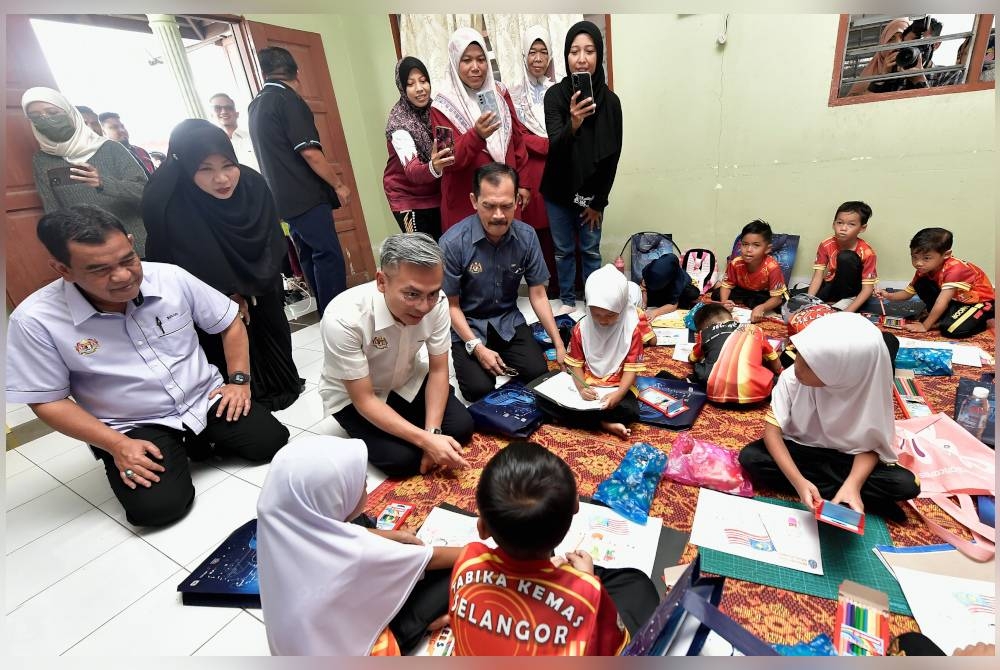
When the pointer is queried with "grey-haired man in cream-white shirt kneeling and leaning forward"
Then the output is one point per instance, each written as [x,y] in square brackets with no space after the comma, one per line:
[374,380]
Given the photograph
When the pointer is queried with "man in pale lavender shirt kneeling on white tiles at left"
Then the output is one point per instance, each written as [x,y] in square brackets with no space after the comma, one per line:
[118,335]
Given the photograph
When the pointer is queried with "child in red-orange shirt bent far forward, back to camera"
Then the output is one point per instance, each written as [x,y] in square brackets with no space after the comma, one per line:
[735,362]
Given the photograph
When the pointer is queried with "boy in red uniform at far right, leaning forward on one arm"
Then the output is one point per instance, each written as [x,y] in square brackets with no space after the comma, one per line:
[959,296]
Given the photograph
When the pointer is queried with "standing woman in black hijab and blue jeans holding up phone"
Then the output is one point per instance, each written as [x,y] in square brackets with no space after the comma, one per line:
[585,142]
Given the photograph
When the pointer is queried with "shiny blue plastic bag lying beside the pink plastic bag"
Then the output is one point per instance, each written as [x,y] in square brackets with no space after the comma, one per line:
[631,487]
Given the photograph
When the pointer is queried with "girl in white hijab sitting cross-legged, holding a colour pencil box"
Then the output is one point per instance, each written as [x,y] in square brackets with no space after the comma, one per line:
[829,434]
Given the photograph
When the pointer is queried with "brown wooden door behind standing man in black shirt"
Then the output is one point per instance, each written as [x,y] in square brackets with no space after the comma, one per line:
[317,90]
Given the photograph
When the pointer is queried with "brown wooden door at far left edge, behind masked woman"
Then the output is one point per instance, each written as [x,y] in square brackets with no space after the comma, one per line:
[27,260]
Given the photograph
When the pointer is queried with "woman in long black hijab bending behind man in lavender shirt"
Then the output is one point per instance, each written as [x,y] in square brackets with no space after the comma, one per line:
[217,219]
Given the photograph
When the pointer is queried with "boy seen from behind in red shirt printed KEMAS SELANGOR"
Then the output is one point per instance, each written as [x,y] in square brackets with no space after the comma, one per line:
[520,600]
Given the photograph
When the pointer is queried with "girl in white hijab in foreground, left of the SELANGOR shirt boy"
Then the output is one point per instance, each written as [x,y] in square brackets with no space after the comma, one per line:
[329,587]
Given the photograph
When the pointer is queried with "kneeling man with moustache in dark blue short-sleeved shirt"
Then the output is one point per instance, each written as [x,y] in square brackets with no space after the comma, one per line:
[487,254]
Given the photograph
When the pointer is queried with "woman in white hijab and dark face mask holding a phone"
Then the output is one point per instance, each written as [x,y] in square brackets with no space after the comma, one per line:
[77,166]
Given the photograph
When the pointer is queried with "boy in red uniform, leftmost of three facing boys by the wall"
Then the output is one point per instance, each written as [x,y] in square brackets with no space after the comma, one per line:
[753,278]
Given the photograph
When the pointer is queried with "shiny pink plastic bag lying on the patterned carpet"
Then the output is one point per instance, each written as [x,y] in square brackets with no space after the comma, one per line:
[699,463]
